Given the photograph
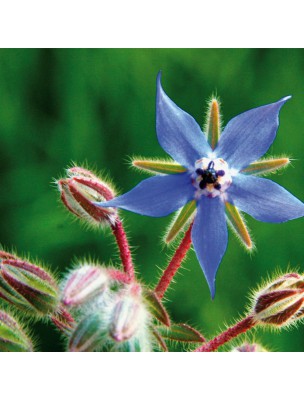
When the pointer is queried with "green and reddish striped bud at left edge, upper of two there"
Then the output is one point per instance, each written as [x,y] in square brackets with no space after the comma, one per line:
[27,286]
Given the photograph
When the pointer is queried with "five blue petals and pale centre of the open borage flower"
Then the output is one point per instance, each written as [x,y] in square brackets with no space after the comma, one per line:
[212,177]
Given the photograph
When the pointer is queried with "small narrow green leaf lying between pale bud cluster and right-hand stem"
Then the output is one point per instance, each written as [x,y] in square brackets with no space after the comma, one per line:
[181,333]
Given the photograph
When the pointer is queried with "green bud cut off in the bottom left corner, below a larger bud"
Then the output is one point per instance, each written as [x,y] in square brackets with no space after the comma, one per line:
[12,337]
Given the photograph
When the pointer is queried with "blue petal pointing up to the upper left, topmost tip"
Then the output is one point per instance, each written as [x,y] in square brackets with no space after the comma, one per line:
[178,133]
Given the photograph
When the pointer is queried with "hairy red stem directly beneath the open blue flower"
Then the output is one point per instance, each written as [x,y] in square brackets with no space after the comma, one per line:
[174,264]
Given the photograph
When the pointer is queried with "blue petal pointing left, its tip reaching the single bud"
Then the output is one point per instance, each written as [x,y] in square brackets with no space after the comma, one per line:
[157,196]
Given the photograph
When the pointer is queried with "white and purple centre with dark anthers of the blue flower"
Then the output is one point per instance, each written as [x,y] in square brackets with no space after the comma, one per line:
[211,177]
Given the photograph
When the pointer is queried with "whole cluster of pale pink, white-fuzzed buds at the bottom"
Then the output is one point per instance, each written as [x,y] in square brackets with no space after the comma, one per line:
[111,312]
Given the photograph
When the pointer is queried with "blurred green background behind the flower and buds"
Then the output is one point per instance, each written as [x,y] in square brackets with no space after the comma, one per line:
[98,106]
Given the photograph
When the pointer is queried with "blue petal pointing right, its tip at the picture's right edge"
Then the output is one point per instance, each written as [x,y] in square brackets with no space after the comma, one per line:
[264,200]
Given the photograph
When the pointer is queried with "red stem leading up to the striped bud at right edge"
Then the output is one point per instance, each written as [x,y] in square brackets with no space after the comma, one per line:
[229,334]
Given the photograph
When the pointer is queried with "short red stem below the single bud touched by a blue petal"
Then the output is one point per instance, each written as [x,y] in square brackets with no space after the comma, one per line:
[124,250]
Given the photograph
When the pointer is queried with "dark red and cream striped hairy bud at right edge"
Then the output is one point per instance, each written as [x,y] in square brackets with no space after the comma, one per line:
[281,302]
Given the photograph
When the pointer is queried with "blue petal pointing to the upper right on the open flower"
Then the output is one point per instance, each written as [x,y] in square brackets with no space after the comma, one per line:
[249,135]
